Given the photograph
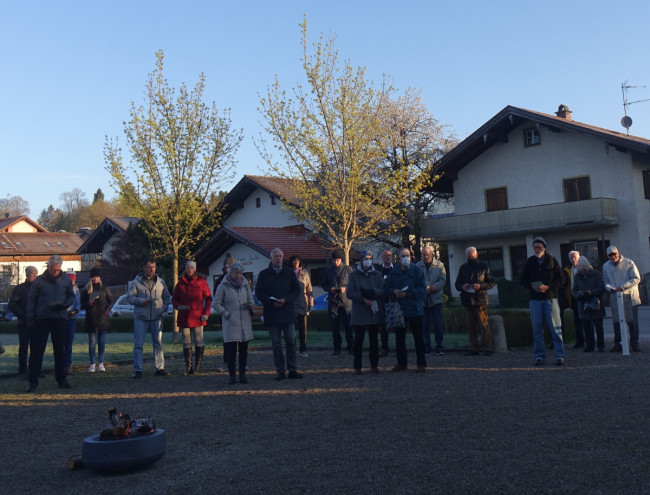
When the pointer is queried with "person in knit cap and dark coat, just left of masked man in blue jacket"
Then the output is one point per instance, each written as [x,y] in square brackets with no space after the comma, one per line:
[365,289]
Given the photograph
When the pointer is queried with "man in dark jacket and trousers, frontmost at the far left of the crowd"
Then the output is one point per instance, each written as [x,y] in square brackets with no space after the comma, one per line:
[48,301]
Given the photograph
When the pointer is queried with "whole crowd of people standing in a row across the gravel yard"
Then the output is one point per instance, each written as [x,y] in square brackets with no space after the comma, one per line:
[372,298]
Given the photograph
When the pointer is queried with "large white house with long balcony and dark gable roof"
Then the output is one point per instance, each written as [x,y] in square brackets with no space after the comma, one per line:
[526,173]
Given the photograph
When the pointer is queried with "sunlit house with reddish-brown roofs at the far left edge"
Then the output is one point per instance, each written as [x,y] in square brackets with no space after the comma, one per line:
[24,242]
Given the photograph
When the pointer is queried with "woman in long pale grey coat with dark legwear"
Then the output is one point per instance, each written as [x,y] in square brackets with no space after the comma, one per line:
[234,302]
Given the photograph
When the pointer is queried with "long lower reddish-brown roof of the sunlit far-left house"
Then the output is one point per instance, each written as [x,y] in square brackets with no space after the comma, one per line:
[38,243]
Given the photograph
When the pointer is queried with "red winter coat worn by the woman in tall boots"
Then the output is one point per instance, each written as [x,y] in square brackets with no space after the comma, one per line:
[195,293]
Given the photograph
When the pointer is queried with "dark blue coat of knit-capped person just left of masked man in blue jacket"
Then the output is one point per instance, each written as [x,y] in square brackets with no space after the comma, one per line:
[369,285]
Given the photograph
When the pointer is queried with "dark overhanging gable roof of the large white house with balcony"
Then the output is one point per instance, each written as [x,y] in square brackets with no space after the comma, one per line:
[497,128]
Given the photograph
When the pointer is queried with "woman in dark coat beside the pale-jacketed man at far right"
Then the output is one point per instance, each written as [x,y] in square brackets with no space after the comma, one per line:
[588,289]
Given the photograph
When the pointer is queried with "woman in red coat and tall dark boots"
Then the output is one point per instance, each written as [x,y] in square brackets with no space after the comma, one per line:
[192,300]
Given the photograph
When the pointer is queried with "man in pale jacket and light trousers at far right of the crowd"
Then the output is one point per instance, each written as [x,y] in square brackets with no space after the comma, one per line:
[621,275]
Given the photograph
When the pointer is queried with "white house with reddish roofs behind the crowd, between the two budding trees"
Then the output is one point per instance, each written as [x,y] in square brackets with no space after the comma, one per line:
[255,223]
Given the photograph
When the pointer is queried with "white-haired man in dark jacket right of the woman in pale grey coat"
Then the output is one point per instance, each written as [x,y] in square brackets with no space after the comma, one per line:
[277,287]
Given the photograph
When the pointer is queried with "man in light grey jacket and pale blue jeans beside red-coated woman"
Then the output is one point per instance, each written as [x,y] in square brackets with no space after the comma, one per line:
[150,298]
